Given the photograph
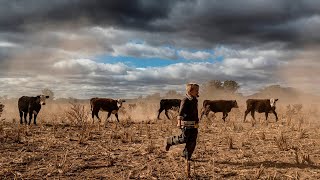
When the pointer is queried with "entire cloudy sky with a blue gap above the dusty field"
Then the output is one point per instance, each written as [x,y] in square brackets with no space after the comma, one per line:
[127,48]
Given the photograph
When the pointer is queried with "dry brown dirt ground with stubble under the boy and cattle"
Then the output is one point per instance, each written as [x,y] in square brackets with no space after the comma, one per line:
[65,145]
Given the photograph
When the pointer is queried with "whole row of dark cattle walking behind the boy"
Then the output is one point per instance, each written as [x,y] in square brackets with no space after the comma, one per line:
[32,105]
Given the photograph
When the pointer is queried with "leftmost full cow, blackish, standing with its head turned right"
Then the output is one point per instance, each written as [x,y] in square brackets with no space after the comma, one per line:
[31,105]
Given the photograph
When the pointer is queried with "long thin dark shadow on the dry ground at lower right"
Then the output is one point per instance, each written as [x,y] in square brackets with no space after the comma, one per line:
[269,164]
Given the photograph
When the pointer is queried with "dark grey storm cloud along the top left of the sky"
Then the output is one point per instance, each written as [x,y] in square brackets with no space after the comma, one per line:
[17,15]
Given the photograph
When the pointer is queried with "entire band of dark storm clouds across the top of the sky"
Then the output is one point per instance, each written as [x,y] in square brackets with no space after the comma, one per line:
[207,21]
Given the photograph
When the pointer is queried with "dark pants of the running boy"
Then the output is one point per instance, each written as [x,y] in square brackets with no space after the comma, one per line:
[188,136]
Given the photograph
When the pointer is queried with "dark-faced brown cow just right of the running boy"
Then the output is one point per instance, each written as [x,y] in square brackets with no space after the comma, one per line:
[223,106]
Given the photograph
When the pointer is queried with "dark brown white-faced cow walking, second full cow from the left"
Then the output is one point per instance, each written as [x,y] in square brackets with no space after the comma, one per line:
[105,104]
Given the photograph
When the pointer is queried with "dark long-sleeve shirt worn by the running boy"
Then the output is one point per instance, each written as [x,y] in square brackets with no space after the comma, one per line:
[189,109]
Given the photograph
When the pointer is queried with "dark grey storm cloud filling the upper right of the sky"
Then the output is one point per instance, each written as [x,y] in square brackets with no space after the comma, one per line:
[247,21]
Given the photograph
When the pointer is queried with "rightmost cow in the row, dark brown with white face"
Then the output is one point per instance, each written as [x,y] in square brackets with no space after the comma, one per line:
[261,106]
